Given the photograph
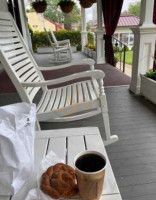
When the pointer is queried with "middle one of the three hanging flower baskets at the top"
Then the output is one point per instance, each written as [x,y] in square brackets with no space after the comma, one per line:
[66,5]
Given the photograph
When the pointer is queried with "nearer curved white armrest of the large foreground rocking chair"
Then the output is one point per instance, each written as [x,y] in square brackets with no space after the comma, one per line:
[97,74]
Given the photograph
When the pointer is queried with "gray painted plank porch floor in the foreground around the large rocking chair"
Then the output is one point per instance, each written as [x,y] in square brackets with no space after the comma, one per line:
[133,158]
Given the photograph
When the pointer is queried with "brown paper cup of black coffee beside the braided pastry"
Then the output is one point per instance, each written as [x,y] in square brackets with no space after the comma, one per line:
[90,172]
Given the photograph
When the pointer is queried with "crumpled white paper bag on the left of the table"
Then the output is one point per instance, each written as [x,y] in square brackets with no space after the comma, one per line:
[17,130]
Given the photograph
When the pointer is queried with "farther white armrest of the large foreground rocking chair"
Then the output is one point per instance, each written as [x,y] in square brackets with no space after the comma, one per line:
[89,62]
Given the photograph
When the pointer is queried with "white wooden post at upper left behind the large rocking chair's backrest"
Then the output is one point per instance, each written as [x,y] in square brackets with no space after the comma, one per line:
[24,23]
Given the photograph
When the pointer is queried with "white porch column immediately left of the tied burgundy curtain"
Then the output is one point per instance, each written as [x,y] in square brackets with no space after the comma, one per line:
[100,54]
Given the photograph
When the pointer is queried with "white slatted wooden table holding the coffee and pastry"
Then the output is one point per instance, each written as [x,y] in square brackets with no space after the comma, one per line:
[66,143]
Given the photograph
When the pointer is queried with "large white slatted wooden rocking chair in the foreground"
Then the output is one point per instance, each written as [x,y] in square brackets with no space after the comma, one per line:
[70,102]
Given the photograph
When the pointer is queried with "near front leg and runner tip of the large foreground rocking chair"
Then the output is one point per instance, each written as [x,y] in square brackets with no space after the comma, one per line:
[109,139]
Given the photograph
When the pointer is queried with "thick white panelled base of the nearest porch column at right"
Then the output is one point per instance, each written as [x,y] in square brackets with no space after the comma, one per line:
[144,46]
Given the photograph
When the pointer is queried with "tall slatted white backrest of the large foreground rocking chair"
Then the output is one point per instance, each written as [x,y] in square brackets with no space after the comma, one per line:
[16,58]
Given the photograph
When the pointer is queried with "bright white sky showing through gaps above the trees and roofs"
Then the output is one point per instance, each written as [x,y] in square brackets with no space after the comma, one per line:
[89,10]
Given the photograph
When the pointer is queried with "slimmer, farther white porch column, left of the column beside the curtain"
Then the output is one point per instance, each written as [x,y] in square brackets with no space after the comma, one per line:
[84,38]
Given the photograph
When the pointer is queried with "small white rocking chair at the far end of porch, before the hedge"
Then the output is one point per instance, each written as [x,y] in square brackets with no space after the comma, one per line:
[61,53]
